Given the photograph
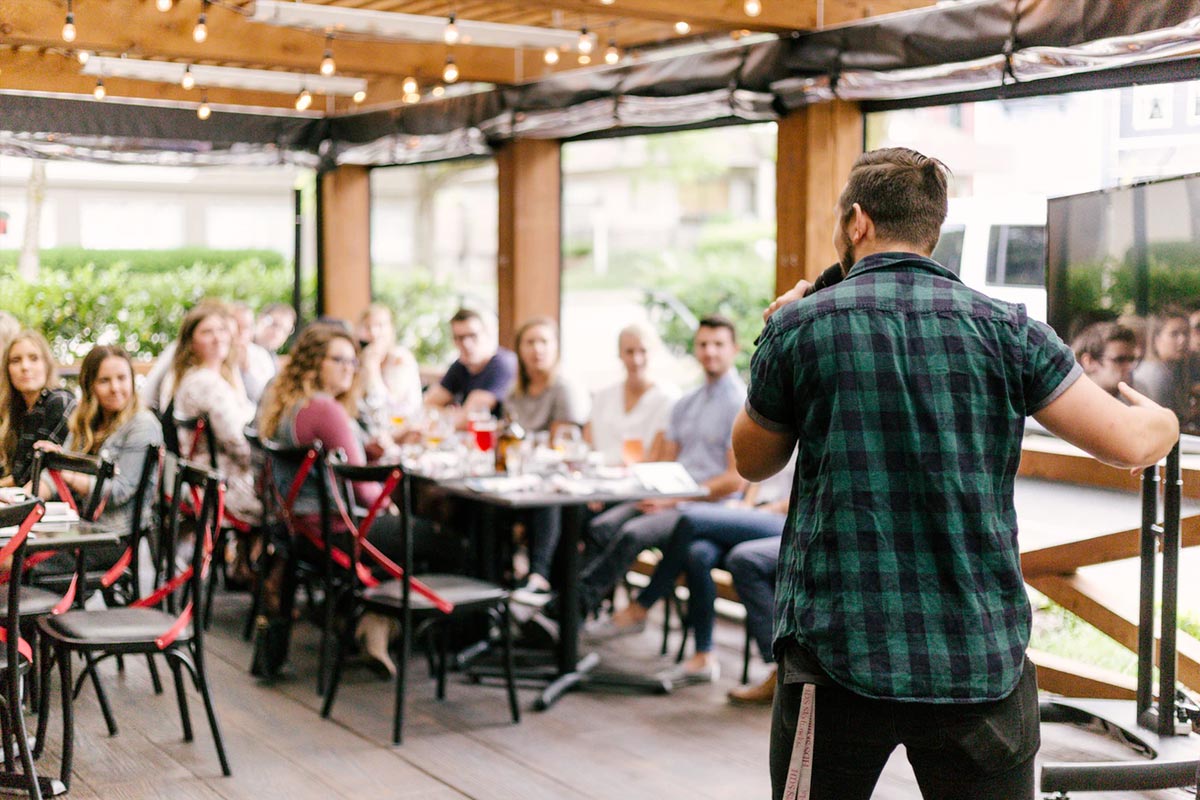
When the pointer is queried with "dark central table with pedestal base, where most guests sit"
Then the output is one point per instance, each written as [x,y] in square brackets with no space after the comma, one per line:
[571,670]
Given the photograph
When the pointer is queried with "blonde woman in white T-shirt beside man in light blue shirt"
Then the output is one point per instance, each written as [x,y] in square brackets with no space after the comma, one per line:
[628,418]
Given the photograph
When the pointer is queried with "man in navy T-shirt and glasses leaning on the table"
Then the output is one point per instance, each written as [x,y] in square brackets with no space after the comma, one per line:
[484,374]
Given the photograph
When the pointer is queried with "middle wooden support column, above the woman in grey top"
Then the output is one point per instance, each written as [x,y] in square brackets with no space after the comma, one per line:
[531,255]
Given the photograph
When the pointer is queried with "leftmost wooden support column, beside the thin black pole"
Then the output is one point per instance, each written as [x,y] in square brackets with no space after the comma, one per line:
[345,243]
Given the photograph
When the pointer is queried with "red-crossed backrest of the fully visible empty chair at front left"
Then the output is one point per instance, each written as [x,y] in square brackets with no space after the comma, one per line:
[203,489]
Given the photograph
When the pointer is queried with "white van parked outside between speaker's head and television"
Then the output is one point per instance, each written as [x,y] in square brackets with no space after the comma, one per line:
[998,245]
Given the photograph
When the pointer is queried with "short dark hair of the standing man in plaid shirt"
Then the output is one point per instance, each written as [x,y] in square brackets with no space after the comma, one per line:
[902,191]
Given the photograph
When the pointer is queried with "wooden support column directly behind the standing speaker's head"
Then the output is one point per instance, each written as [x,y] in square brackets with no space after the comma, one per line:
[817,148]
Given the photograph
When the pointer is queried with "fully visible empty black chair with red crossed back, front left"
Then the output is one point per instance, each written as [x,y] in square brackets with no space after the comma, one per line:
[170,622]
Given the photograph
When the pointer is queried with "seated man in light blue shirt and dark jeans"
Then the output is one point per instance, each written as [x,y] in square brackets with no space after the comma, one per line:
[699,437]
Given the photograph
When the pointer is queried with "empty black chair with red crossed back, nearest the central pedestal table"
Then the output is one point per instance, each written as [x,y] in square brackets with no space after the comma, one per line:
[406,597]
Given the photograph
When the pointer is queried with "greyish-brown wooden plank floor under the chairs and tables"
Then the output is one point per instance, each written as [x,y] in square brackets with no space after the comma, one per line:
[591,745]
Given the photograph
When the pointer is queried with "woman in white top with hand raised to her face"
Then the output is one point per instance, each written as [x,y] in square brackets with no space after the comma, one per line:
[392,382]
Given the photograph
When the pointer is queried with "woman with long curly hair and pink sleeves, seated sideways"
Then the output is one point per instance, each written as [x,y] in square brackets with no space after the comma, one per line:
[316,398]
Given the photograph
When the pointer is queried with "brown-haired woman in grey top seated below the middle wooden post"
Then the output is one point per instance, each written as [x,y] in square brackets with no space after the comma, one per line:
[541,402]
